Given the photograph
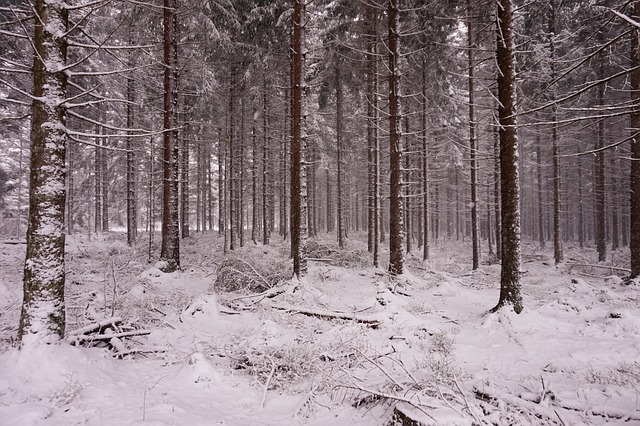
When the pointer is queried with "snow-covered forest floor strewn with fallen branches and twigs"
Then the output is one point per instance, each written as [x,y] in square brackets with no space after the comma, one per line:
[232,340]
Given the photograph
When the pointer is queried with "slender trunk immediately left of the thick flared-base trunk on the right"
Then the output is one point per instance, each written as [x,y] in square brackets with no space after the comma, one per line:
[475,238]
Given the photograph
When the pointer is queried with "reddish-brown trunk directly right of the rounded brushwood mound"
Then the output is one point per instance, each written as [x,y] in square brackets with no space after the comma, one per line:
[298,145]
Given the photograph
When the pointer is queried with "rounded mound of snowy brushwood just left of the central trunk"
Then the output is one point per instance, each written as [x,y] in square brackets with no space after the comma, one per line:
[236,274]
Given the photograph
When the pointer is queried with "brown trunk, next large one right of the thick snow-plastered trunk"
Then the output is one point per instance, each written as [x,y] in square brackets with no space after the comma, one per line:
[170,252]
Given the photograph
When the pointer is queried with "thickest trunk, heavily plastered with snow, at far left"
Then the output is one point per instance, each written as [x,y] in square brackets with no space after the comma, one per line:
[43,316]
